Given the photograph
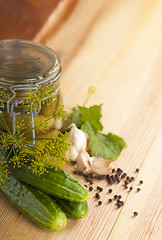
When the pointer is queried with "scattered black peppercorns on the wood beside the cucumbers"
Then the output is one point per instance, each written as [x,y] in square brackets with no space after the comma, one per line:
[115,177]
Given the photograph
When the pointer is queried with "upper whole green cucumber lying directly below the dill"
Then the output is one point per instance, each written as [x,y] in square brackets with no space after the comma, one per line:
[53,181]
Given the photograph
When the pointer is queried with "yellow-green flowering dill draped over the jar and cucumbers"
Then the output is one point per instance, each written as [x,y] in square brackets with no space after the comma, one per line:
[17,149]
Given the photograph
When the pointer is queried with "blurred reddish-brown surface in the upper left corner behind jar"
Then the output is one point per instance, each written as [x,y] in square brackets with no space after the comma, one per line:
[24,19]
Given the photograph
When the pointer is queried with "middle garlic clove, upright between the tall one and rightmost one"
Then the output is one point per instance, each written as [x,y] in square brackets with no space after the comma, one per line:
[82,162]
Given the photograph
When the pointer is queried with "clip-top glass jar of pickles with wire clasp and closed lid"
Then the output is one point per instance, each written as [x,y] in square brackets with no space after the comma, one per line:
[24,66]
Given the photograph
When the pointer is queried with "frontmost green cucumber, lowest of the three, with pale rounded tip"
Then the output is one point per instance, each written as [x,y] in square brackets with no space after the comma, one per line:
[34,204]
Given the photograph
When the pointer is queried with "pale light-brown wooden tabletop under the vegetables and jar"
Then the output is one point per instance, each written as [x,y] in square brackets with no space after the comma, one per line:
[115,46]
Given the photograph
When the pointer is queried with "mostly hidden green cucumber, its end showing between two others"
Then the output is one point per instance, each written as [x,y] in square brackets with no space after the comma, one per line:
[73,209]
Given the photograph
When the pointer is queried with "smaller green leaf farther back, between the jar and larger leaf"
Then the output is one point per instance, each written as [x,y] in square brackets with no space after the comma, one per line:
[92,115]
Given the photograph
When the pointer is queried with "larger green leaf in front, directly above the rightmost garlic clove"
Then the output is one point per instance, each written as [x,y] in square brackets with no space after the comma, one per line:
[107,146]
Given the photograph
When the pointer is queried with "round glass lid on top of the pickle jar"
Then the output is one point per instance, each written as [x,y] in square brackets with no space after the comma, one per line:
[27,62]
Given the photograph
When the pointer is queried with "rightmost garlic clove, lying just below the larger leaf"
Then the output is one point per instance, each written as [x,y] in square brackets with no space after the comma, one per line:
[99,165]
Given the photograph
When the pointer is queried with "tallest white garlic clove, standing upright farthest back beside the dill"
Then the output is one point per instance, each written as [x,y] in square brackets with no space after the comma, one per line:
[78,138]
